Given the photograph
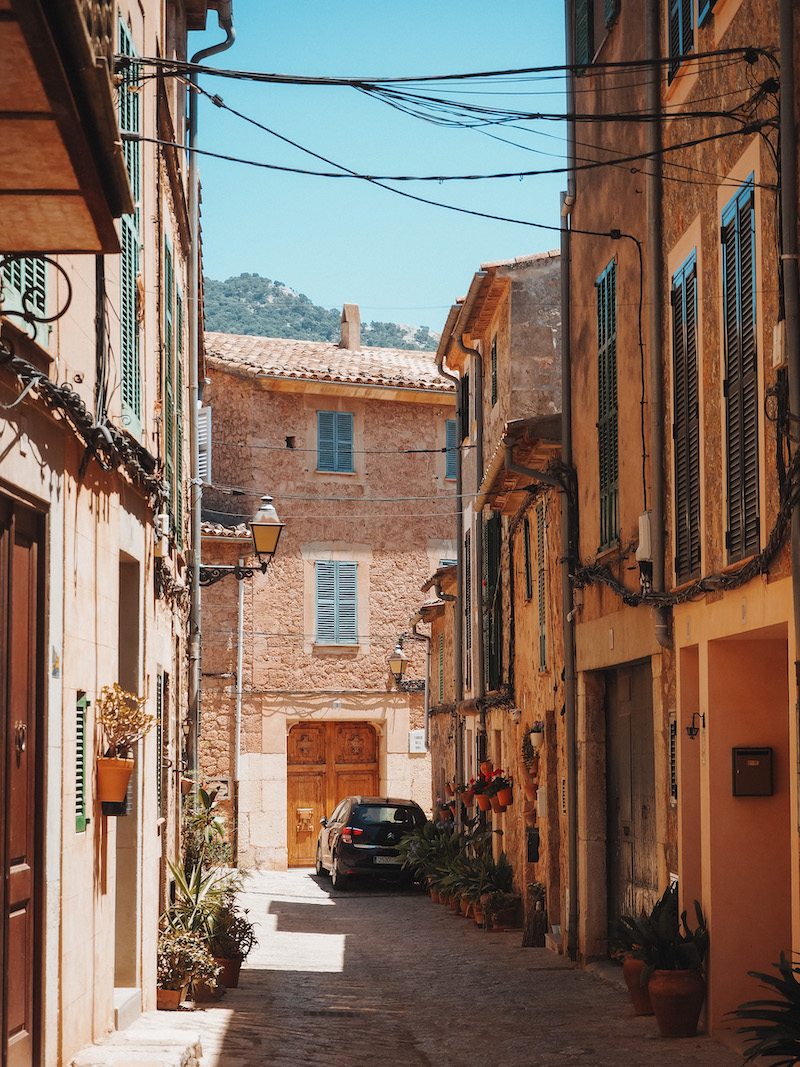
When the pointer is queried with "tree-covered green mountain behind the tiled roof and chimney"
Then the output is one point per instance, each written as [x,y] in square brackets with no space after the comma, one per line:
[254,306]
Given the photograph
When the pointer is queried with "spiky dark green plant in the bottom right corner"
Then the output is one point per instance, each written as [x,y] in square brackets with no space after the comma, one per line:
[776,1028]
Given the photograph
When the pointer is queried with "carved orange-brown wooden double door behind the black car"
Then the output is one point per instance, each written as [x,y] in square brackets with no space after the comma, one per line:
[326,763]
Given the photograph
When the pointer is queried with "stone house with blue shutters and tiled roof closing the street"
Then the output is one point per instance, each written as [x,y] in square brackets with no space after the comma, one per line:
[350,443]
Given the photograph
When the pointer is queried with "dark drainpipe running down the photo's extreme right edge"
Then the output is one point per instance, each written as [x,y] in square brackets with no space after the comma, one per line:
[790,264]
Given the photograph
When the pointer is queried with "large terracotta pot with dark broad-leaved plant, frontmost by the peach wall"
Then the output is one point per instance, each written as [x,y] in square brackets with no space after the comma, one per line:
[674,955]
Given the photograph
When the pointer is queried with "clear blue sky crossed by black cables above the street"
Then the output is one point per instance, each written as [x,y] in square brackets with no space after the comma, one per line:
[344,241]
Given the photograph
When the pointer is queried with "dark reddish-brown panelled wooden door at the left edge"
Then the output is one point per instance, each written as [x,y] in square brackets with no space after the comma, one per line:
[21,694]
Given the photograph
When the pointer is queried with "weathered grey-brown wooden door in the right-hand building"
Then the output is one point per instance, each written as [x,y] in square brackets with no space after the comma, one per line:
[633,866]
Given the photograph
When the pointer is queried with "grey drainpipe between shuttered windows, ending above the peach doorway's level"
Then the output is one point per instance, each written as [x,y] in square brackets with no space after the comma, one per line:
[655,305]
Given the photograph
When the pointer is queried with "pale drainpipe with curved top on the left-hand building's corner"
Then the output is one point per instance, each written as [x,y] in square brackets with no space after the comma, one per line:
[226,17]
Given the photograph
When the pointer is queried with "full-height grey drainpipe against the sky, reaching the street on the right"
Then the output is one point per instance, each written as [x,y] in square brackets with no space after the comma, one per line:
[569,517]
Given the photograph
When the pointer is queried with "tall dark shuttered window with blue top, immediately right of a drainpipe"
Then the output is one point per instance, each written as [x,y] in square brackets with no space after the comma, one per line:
[686,426]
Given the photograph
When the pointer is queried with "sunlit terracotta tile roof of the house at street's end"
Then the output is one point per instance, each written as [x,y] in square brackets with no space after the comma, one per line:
[325,362]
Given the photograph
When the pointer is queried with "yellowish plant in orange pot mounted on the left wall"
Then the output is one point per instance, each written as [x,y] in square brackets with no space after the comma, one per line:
[123,723]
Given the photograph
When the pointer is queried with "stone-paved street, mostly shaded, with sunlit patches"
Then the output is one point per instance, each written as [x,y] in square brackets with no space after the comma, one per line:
[376,977]
